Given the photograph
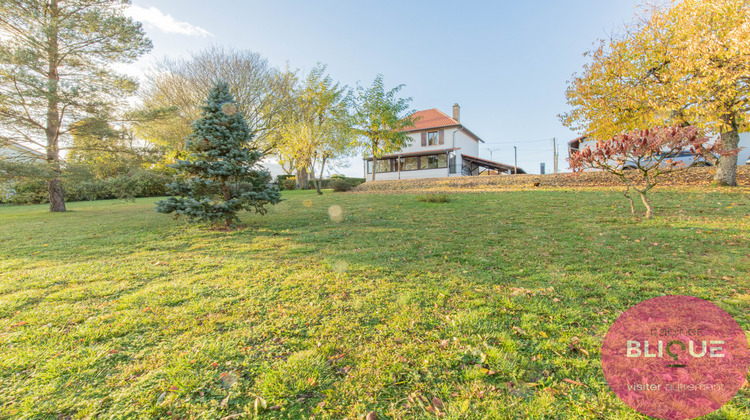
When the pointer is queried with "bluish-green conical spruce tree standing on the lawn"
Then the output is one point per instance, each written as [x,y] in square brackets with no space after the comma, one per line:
[219,178]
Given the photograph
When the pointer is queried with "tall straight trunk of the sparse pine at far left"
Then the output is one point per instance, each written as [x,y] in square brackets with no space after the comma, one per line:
[52,130]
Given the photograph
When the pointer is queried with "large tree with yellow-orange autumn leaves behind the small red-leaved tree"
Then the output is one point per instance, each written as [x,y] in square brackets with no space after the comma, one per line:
[686,64]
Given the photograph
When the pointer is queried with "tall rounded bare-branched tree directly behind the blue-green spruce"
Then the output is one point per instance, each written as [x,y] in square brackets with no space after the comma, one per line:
[176,87]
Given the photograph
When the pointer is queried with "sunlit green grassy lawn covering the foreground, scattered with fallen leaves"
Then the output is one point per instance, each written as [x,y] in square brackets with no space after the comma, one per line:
[491,305]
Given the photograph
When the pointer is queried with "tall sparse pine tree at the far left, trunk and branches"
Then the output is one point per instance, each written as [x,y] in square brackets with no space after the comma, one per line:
[55,59]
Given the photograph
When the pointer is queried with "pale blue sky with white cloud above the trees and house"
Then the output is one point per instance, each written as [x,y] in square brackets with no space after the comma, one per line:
[505,63]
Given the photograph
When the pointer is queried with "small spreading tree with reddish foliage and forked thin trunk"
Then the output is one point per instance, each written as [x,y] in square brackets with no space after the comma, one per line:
[649,153]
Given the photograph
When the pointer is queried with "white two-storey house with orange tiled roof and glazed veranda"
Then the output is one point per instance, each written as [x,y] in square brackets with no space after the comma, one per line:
[440,146]
